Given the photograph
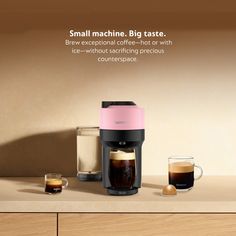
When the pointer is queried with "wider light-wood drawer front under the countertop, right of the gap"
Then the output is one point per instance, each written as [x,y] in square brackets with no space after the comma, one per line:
[147,224]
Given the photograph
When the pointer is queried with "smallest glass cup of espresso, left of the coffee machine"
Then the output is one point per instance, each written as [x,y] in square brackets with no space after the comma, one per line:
[54,183]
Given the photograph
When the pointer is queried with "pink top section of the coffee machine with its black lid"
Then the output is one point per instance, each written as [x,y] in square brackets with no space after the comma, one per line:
[121,115]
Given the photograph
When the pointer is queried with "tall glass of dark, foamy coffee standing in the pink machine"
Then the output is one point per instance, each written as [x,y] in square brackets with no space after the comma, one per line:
[122,169]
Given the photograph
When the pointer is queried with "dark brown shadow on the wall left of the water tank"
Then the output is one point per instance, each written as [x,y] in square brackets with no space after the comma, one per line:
[38,154]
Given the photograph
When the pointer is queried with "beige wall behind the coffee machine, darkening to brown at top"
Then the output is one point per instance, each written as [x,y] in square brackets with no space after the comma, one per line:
[188,94]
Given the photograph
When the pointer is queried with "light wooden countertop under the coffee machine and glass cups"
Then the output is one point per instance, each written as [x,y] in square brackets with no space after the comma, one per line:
[211,194]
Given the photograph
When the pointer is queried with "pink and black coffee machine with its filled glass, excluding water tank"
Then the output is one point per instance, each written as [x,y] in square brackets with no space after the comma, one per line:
[122,136]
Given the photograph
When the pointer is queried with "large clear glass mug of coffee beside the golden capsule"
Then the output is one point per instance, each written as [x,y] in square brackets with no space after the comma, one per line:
[181,172]
